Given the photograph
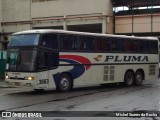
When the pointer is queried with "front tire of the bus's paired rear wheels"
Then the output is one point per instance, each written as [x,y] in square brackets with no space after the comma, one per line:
[129,78]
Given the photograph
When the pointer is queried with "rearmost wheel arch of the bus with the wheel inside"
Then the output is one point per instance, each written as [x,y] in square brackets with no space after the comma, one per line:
[139,77]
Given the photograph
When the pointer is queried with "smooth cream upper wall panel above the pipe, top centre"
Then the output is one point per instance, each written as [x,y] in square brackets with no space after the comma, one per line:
[70,7]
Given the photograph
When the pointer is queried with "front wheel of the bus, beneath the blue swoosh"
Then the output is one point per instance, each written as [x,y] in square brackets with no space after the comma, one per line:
[64,83]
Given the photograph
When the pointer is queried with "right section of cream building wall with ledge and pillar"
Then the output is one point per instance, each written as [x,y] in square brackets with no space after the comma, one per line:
[68,8]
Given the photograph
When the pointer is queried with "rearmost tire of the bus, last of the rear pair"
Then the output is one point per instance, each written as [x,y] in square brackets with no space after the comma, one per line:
[139,78]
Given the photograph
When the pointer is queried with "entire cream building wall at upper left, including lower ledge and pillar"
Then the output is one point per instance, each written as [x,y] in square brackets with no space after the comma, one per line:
[25,10]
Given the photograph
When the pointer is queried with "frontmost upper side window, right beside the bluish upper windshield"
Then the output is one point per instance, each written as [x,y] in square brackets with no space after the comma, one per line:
[50,41]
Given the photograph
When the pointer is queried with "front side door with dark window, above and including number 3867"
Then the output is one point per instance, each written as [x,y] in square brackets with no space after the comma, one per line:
[47,62]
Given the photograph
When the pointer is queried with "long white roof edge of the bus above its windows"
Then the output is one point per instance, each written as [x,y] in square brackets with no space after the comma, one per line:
[42,31]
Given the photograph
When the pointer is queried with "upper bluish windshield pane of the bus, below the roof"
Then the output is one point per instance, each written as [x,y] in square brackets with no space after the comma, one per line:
[24,40]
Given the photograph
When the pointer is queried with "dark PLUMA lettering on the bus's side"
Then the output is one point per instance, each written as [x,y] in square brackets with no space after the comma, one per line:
[127,58]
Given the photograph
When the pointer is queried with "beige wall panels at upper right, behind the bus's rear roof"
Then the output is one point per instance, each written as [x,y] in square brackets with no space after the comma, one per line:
[141,24]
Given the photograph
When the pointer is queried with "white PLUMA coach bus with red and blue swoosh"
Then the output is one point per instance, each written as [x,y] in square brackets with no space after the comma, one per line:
[57,59]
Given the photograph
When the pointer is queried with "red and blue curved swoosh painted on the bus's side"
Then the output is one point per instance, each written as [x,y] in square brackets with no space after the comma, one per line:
[80,65]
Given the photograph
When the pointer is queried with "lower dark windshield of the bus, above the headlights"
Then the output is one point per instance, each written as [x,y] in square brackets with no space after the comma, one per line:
[21,60]
